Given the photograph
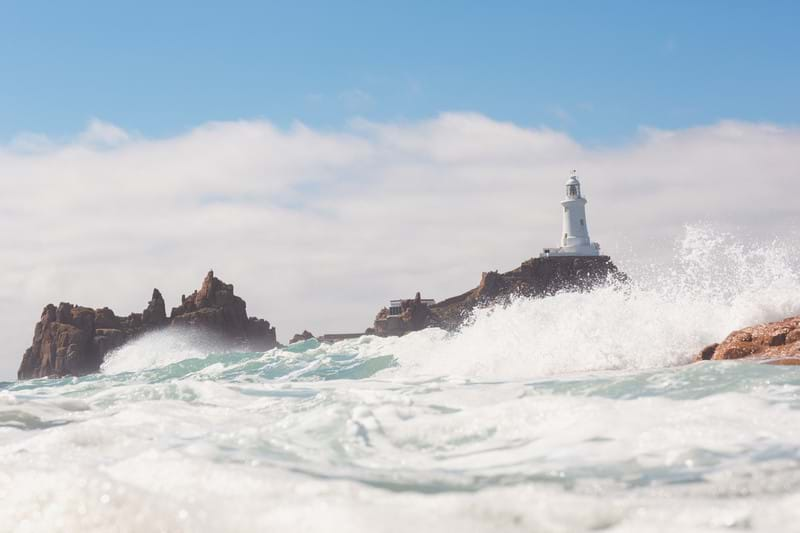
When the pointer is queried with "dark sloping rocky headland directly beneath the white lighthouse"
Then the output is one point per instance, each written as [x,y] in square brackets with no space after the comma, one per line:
[536,277]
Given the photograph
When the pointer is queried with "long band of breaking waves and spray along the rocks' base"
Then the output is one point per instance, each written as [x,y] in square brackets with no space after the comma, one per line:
[661,318]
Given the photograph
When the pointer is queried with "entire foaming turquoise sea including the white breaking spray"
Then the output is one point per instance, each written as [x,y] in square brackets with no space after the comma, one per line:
[570,413]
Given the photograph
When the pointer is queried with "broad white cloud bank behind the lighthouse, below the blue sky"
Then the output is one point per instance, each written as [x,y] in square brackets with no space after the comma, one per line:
[317,229]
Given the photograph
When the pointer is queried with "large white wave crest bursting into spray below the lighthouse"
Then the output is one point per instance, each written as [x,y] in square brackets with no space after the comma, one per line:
[663,318]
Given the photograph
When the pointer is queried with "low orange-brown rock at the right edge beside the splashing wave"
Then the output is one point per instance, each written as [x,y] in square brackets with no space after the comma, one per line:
[775,342]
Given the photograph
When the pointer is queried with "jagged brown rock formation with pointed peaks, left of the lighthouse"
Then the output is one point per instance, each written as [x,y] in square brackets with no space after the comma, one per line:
[74,340]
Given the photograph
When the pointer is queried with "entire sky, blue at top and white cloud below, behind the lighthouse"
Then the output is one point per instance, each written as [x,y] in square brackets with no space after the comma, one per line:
[475,114]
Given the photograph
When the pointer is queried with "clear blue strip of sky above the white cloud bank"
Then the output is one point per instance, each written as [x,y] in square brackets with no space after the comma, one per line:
[597,70]
